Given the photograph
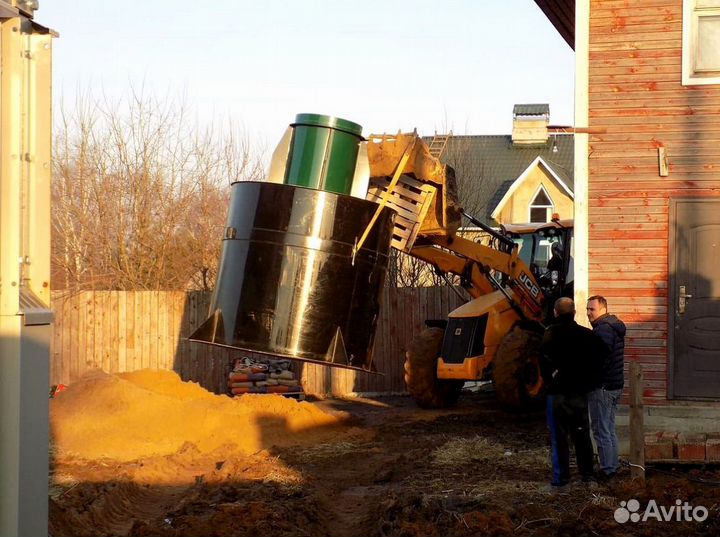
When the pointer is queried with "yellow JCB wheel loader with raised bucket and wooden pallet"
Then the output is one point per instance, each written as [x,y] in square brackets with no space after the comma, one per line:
[509,276]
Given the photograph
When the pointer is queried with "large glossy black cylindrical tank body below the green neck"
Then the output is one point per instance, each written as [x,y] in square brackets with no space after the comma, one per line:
[289,284]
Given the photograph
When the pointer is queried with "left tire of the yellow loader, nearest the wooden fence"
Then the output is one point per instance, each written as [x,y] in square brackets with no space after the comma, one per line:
[421,372]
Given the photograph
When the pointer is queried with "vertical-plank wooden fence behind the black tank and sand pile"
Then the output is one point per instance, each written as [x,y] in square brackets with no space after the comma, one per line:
[119,331]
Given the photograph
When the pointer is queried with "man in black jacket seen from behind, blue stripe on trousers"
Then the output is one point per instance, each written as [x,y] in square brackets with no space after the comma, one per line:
[571,360]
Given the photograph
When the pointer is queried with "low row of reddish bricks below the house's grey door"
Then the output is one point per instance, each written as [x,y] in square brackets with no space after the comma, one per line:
[682,447]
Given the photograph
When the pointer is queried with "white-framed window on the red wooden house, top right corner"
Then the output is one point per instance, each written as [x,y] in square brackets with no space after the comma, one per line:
[701,42]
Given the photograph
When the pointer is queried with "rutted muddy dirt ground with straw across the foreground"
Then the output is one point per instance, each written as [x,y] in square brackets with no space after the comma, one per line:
[382,468]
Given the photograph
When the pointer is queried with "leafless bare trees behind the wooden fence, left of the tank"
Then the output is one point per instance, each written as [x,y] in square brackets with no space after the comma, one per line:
[140,195]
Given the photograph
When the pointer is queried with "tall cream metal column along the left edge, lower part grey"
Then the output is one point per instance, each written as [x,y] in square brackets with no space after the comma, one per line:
[25,315]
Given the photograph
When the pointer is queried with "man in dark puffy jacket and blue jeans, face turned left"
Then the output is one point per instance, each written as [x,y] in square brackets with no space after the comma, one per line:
[603,401]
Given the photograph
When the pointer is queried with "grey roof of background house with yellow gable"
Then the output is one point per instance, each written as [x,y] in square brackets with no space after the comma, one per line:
[487,166]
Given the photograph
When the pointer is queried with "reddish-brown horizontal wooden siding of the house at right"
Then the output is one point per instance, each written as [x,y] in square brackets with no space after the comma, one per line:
[636,95]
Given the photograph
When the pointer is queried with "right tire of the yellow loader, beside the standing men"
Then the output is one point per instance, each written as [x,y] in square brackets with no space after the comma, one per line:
[516,371]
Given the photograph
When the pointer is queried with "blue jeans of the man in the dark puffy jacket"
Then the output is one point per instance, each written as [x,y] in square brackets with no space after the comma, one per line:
[602,404]
